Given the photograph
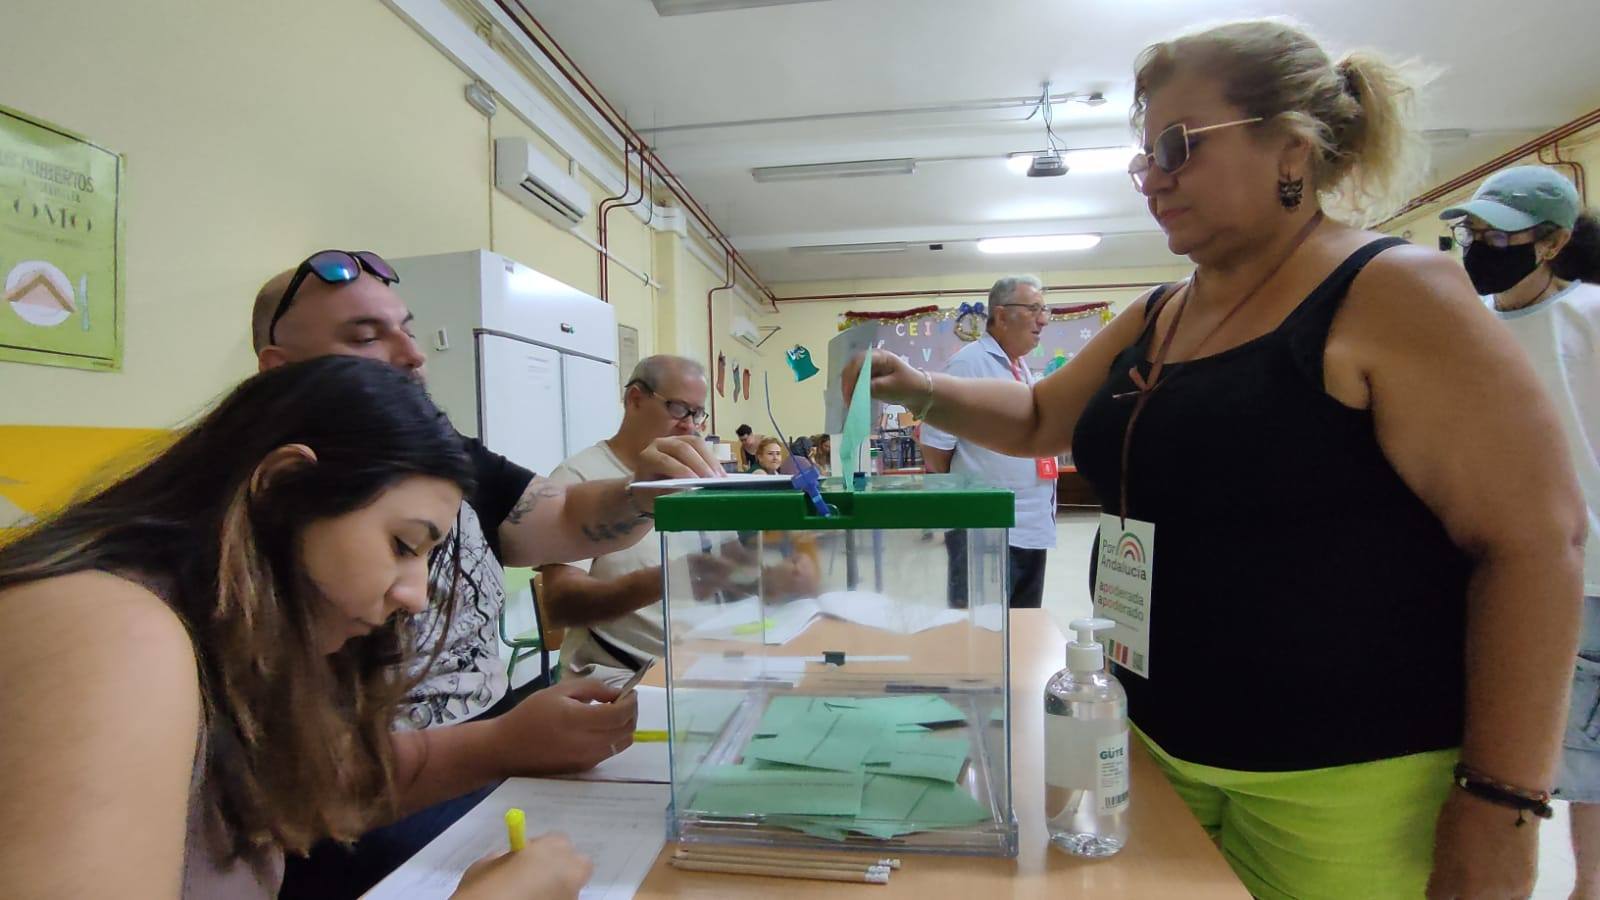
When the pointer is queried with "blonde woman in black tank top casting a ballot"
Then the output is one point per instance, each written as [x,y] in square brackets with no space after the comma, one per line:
[1343,606]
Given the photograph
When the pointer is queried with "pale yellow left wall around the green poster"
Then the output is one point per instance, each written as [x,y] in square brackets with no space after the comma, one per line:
[254,140]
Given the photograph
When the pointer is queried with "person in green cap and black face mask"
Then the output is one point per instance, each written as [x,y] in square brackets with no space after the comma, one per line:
[1535,257]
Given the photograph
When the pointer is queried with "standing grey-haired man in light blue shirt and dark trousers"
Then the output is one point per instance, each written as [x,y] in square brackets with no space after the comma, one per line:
[1017,318]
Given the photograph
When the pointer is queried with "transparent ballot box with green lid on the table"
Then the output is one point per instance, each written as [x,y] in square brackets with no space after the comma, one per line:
[841,681]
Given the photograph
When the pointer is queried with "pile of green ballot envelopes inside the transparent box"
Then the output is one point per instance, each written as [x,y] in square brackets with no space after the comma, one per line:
[839,766]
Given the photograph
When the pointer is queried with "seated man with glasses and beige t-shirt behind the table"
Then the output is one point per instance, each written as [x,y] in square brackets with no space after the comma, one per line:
[612,603]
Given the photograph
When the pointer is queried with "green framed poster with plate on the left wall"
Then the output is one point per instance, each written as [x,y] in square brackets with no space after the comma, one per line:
[62,247]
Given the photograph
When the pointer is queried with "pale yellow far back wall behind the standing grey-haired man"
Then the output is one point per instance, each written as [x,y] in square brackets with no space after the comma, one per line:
[812,324]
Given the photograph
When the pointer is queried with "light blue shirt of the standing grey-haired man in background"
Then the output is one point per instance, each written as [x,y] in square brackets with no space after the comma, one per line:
[1036,499]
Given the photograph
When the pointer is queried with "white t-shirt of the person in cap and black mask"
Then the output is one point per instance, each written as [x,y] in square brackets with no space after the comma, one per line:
[1562,337]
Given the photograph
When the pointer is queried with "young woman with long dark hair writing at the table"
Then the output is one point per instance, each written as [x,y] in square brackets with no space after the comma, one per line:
[199,661]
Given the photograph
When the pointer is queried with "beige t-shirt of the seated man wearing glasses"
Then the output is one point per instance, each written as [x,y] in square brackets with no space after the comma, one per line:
[641,632]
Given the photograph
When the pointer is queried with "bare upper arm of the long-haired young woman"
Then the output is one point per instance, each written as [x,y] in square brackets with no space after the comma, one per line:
[102,713]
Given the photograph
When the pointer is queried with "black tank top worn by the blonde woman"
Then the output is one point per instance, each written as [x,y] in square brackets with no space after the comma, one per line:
[1308,609]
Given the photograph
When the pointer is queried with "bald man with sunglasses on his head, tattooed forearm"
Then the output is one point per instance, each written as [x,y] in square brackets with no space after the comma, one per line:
[345,303]
